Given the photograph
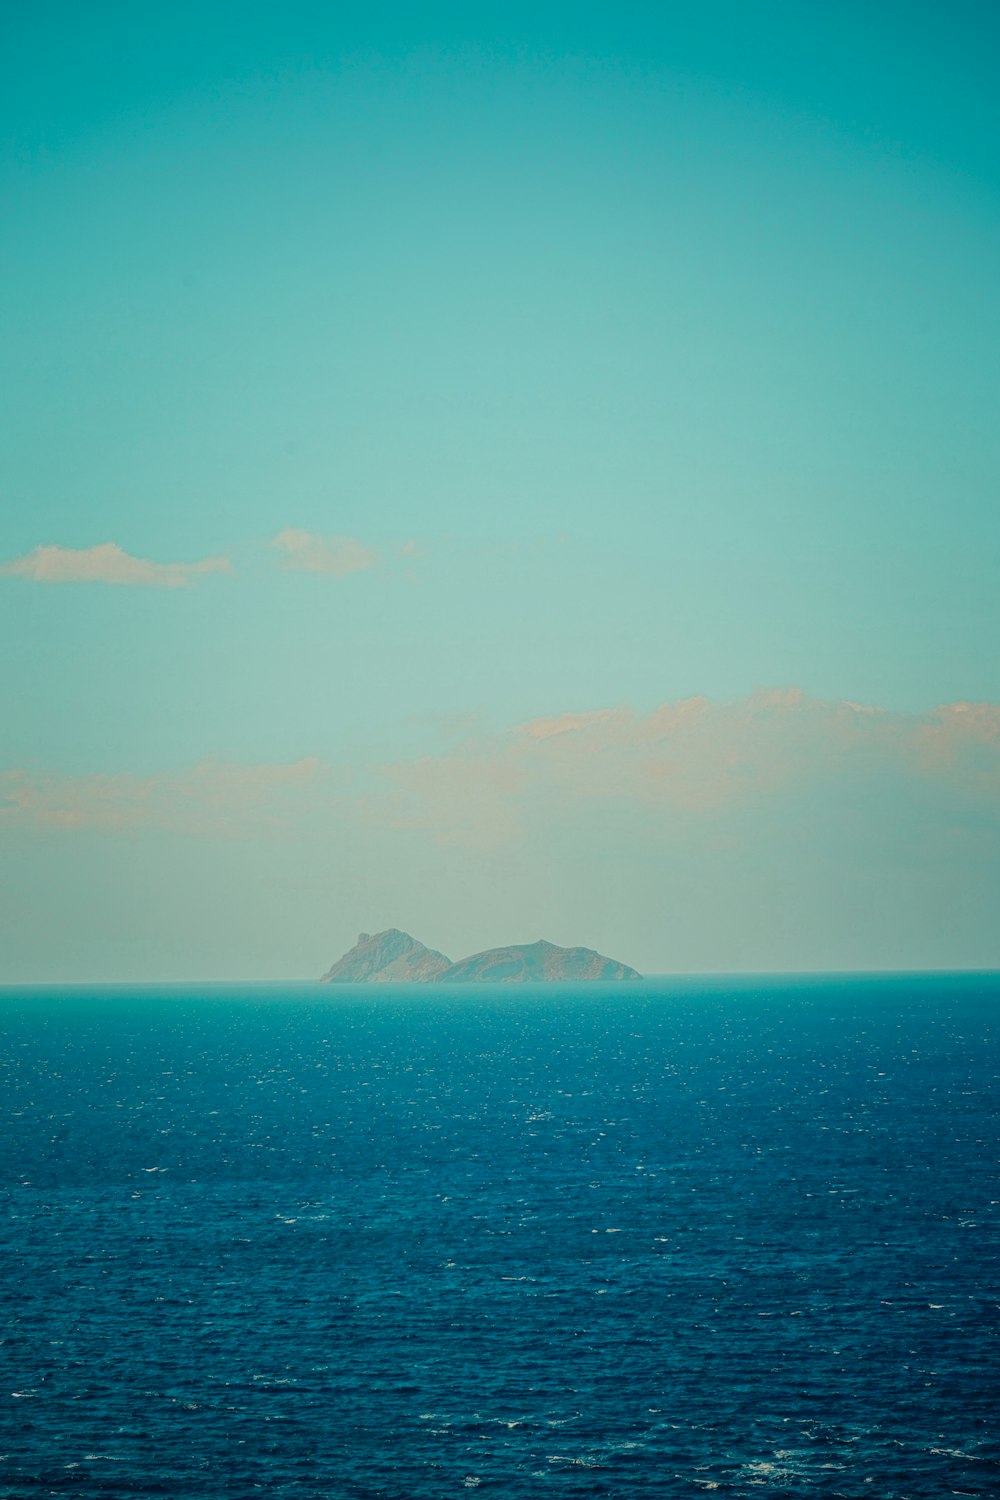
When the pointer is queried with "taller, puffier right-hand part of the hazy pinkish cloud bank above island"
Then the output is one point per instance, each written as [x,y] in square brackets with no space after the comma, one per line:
[692,760]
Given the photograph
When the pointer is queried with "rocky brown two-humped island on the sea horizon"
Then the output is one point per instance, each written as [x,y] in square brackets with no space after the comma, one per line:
[395,958]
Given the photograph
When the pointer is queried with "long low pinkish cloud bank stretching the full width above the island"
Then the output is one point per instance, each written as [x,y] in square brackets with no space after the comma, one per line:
[675,767]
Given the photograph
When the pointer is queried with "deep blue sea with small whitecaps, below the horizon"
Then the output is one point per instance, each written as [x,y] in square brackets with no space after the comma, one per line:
[645,1240]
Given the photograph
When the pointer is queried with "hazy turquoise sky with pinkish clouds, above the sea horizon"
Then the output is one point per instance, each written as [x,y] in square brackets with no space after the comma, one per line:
[500,472]
